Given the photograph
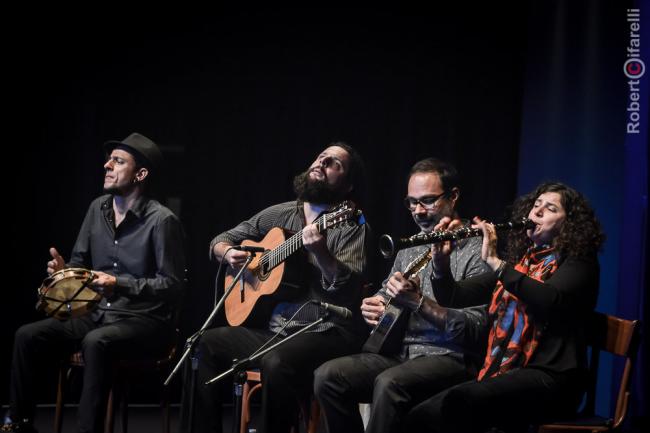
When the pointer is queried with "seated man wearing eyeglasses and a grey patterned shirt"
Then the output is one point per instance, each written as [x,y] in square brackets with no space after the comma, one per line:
[395,382]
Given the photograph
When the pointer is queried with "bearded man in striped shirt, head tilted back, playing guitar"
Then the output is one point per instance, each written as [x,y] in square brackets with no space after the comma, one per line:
[333,266]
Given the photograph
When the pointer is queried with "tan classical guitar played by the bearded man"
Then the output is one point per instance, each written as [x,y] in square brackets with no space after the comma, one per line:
[275,275]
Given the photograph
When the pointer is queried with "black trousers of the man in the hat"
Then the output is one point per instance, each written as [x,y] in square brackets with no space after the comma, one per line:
[48,340]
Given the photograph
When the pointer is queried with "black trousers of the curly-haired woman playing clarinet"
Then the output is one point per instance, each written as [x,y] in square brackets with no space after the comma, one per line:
[510,402]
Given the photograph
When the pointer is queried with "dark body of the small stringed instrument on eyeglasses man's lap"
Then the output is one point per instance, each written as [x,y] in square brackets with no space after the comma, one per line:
[386,337]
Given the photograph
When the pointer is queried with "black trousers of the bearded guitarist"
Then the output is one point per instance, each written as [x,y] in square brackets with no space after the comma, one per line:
[287,372]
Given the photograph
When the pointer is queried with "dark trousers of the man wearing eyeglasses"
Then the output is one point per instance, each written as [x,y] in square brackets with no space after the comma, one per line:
[392,385]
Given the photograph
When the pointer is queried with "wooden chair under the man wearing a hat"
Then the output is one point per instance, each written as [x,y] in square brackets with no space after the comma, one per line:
[123,372]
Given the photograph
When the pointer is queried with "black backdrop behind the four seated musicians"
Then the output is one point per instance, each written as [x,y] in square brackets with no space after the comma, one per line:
[241,101]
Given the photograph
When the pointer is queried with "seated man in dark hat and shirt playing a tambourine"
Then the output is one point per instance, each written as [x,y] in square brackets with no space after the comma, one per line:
[134,247]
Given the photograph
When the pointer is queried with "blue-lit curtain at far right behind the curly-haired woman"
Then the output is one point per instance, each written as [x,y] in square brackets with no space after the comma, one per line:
[574,122]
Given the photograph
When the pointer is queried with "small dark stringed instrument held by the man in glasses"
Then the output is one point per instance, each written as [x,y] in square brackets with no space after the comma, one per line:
[386,337]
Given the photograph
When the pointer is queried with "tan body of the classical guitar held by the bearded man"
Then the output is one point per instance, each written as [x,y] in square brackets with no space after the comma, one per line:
[263,289]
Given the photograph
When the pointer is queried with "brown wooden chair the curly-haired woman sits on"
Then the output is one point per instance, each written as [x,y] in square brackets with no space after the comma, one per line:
[619,337]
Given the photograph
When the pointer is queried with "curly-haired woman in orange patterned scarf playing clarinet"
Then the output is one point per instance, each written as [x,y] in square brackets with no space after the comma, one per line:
[537,302]
